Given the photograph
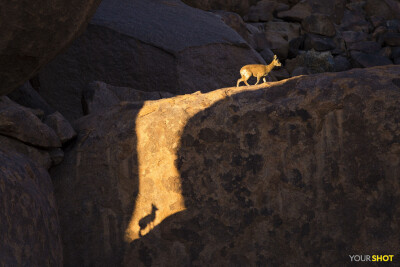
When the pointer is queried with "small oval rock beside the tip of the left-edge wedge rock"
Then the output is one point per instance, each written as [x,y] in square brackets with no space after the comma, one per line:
[61,126]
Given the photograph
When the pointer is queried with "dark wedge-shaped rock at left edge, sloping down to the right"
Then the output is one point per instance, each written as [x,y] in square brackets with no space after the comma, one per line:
[20,123]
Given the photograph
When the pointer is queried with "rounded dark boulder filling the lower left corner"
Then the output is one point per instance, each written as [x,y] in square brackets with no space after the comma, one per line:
[29,227]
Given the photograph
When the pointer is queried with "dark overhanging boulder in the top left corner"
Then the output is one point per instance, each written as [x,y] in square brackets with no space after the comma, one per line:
[33,33]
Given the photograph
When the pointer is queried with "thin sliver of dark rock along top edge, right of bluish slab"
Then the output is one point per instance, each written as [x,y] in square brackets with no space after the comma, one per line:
[238,6]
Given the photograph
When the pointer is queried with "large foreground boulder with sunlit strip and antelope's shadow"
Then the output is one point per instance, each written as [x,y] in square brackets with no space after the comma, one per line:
[301,170]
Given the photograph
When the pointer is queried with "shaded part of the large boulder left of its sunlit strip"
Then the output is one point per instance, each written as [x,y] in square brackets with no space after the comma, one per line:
[96,187]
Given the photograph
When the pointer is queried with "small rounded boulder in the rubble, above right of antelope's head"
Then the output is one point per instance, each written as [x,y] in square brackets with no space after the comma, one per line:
[319,24]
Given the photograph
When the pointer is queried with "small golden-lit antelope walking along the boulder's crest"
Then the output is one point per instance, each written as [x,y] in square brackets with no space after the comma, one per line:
[257,70]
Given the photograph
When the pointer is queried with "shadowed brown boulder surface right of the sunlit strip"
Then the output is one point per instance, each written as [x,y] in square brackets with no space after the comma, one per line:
[281,181]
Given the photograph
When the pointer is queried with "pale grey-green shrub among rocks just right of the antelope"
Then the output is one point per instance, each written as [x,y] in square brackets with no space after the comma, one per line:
[315,62]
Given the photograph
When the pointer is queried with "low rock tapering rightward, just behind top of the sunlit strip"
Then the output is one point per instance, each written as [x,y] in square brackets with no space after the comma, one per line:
[99,96]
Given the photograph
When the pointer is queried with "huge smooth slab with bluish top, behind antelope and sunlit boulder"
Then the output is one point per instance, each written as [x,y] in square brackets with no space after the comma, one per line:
[183,50]
